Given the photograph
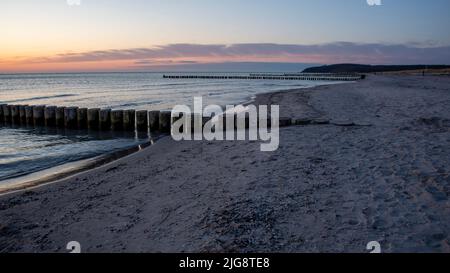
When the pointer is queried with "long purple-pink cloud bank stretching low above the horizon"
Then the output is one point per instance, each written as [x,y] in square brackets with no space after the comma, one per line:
[261,52]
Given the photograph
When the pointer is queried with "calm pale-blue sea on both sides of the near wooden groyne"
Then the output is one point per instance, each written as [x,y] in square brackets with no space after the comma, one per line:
[27,150]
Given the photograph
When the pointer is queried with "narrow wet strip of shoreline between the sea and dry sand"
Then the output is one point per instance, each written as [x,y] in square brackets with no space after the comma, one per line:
[70,169]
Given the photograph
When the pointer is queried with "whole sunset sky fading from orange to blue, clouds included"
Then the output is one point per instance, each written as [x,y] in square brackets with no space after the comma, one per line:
[117,35]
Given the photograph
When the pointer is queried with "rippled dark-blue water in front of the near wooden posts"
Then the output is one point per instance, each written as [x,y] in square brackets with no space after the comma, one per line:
[28,150]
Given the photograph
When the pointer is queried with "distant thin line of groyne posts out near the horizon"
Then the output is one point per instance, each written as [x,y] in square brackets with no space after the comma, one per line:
[290,77]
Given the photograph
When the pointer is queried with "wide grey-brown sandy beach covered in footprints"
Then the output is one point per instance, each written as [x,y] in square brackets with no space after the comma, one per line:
[378,171]
